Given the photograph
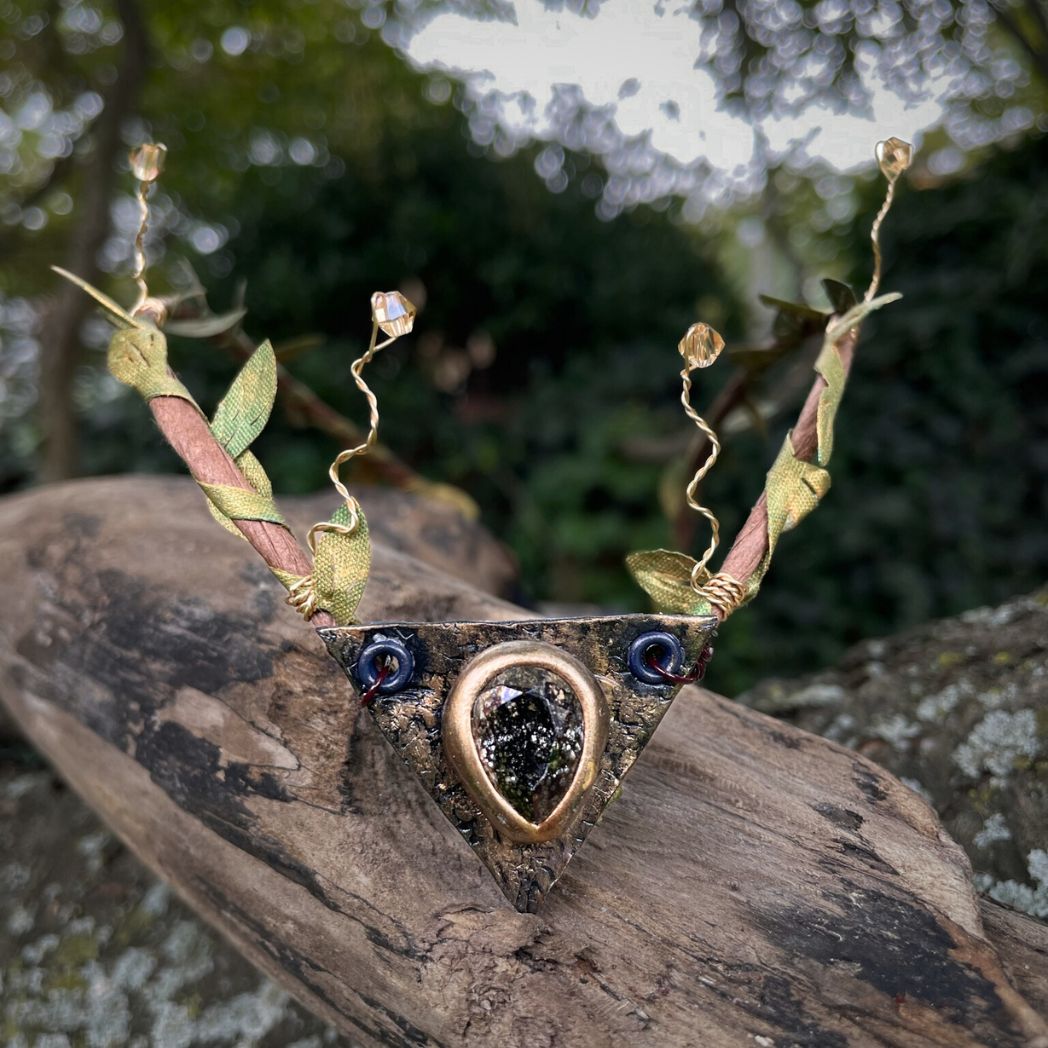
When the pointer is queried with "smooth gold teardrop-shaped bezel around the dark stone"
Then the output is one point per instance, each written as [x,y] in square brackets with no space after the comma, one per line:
[462,750]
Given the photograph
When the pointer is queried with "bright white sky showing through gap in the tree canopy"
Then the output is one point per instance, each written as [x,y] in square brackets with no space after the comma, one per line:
[632,41]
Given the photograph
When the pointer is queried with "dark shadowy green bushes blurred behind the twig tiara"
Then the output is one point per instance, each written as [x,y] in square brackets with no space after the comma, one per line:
[940,496]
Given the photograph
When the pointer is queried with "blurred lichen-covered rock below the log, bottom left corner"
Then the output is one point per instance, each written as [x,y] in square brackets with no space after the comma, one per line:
[96,952]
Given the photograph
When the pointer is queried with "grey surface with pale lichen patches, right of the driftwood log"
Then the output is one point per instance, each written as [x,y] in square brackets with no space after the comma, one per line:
[959,709]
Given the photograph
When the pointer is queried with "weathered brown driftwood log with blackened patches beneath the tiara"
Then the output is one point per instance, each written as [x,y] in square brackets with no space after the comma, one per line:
[754,885]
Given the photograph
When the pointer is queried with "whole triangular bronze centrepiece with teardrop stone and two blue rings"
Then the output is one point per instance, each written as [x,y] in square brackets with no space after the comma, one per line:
[522,732]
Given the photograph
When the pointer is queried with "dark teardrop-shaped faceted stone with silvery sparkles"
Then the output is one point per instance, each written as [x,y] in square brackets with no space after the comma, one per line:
[528,725]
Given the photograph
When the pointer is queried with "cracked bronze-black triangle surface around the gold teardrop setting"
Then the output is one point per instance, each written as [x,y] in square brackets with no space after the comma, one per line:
[411,720]
